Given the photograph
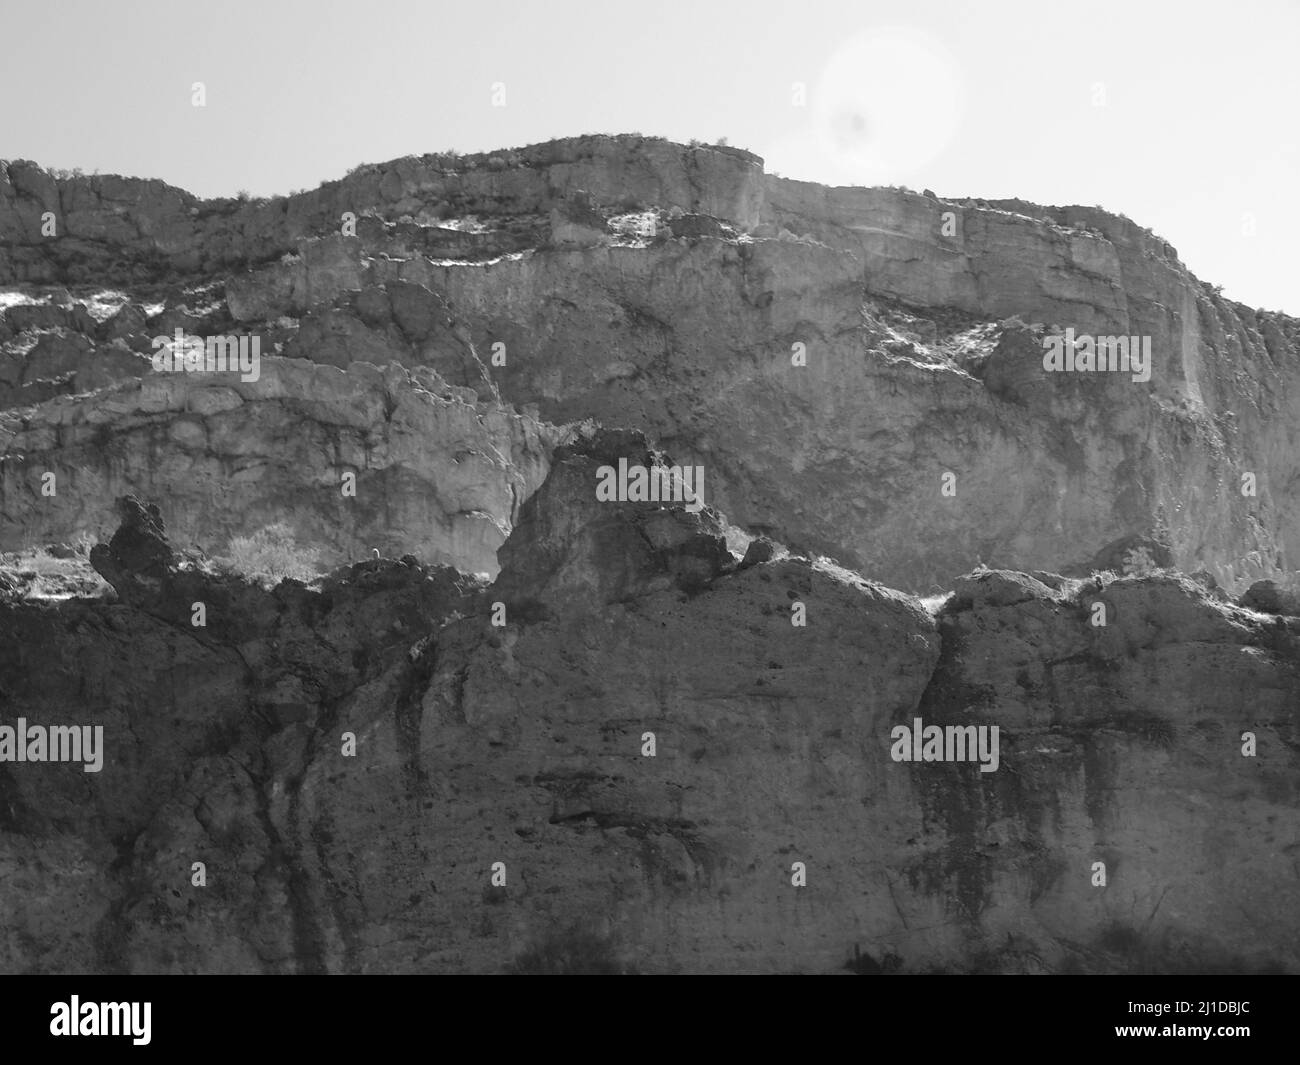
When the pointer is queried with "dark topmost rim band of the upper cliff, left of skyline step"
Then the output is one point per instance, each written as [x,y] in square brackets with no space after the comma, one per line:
[123,231]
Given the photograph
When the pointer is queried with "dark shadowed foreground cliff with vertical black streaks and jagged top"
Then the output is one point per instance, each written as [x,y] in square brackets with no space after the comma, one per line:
[526,743]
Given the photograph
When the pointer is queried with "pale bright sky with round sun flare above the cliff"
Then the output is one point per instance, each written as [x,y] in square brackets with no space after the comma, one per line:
[1184,115]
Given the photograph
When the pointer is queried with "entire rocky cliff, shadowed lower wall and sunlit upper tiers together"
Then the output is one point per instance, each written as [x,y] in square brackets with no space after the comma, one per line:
[657,739]
